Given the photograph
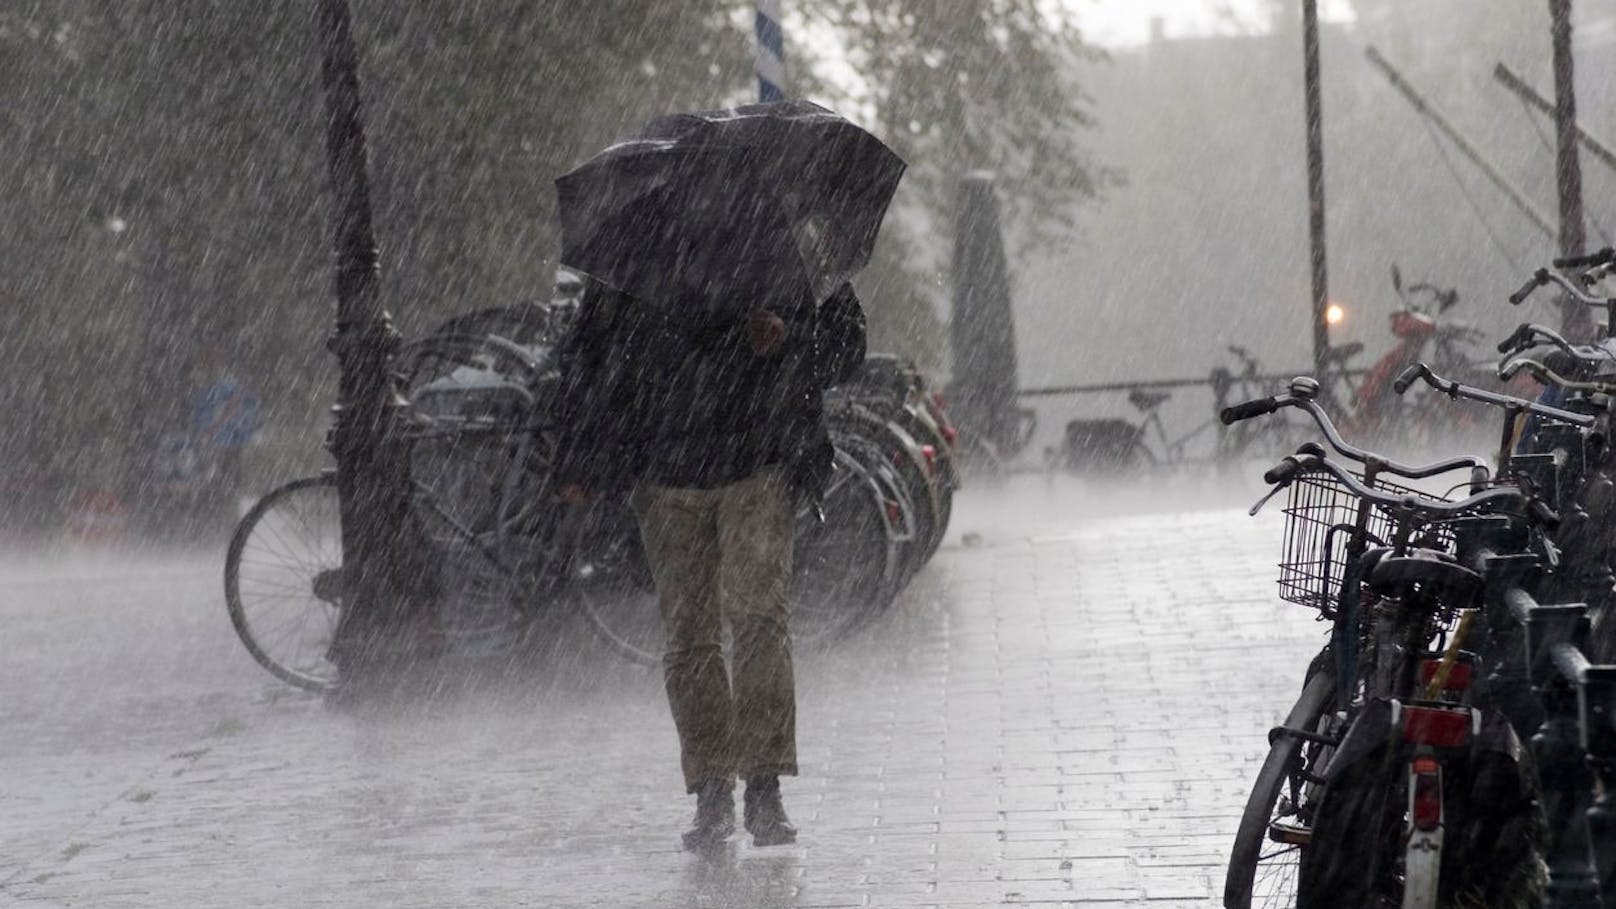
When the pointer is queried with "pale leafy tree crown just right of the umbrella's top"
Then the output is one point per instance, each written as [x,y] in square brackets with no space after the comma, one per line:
[970,85]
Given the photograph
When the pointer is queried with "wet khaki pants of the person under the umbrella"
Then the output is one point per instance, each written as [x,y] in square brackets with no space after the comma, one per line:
[725,556]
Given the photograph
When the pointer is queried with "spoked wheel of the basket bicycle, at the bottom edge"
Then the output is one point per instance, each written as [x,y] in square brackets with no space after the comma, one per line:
[1274,831]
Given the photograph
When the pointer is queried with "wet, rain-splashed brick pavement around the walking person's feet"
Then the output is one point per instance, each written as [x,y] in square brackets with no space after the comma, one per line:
[1064,709]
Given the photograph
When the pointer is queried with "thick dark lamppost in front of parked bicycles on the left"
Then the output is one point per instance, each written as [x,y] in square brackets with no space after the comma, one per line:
[381,609]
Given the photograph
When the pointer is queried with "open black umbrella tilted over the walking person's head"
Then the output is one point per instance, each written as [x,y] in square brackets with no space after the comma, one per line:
[710,211]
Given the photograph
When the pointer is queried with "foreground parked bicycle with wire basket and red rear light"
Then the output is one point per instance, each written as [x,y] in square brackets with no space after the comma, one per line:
[1373,789]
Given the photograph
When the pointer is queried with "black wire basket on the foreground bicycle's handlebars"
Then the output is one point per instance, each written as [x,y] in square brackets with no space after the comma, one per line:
[1321,520]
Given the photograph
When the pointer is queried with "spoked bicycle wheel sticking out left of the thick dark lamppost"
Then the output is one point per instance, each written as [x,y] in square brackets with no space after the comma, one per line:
[284,581]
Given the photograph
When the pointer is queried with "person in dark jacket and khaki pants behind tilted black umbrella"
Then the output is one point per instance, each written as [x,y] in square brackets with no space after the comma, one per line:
[720,250]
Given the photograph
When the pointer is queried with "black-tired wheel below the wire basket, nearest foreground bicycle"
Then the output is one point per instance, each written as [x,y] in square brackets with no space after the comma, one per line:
[1281,771]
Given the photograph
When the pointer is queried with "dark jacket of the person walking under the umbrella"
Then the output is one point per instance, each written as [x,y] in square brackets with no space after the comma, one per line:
[683,402]
